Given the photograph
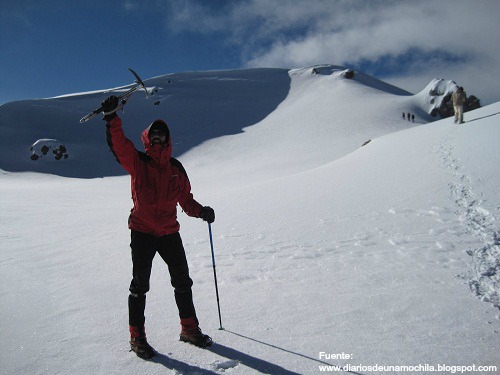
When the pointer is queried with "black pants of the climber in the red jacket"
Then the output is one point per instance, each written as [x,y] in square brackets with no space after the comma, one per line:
[144,247]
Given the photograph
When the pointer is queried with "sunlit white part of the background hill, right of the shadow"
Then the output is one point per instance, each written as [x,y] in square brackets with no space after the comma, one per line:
[324,117]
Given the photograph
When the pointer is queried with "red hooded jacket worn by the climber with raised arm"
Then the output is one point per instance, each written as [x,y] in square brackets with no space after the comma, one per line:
[158,181]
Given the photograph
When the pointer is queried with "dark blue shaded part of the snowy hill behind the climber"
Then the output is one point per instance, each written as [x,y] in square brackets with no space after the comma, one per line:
[197,106]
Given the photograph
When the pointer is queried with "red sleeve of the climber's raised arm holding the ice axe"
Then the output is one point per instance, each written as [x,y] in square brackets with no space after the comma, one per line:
[123,148]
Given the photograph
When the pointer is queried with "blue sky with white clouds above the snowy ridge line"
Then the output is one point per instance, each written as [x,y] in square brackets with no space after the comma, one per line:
[50,47]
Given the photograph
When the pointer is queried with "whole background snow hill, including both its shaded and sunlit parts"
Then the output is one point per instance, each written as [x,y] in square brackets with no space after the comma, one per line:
[198,106]
